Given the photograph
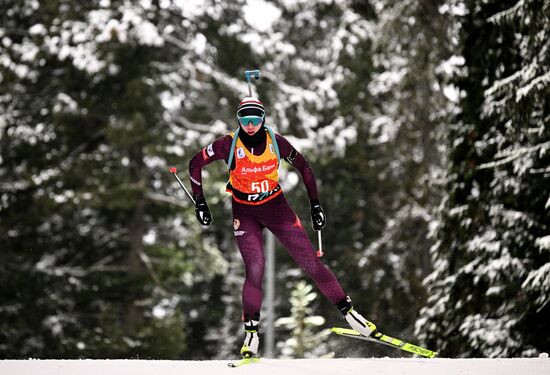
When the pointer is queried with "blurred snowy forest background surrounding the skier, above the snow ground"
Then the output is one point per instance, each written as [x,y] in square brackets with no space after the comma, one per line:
[426,123]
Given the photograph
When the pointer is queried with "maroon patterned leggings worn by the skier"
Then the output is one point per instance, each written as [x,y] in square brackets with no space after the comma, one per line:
[279,218]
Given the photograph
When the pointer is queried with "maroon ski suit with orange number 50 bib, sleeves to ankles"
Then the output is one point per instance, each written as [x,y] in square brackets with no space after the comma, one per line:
[254,170]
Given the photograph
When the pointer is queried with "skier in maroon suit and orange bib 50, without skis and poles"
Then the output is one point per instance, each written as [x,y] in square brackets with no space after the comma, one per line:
[253,153]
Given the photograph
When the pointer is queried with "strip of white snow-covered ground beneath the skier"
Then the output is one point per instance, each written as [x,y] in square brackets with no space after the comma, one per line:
[352,366]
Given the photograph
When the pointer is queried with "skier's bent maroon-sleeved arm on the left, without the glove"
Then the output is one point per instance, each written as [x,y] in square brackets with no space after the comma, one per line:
[219,149]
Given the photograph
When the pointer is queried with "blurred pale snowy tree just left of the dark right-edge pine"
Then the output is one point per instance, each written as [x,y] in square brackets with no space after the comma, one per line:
[410,44]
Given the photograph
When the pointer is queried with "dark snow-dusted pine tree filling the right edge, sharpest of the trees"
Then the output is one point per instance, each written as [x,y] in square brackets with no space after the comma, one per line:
[488,295]
